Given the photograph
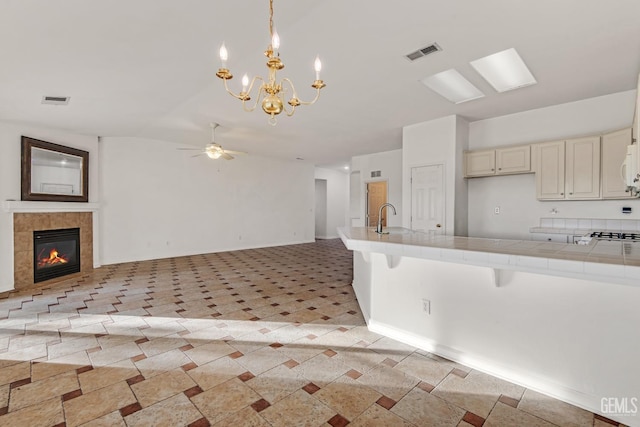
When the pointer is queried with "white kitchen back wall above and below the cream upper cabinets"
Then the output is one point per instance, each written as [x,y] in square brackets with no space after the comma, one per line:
[516,196]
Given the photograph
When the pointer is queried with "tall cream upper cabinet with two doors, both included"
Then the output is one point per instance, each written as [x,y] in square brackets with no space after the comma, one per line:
[568,170]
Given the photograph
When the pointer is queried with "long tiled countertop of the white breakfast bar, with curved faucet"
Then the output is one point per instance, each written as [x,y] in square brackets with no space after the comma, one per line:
[606,261]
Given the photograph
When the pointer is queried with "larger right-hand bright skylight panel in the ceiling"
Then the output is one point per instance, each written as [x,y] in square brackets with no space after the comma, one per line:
[504,70]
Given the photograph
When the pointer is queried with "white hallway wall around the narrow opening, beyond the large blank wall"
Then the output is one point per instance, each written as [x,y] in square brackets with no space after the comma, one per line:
[337,203]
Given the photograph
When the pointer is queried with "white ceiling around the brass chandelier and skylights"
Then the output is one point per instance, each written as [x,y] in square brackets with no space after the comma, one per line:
[146,68]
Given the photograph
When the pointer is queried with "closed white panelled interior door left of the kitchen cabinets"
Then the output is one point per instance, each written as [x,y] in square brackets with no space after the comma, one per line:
[427,198]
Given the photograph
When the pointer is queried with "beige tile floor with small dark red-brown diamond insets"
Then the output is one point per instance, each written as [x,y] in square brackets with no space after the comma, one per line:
[264,337]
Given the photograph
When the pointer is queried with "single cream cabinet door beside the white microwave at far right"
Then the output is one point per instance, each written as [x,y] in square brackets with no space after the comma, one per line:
[614,151]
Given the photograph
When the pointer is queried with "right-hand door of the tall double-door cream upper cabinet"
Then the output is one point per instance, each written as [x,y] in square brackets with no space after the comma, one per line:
[583,168]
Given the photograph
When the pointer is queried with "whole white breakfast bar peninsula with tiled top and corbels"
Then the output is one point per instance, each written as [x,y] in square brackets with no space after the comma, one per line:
[557,318]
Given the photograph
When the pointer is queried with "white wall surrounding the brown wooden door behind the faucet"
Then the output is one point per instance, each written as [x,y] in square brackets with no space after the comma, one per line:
[389,163]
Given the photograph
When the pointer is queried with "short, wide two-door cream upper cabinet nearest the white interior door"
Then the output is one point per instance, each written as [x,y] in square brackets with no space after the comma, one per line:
[501,161]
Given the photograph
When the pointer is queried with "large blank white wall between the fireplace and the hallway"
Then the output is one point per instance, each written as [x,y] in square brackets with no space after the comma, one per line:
[160,202]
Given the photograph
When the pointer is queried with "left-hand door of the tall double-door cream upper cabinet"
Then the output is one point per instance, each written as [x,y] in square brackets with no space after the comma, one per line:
[550,170]
